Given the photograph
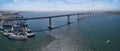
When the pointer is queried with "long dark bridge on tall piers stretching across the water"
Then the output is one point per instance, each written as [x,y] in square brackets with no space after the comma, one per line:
[78,15]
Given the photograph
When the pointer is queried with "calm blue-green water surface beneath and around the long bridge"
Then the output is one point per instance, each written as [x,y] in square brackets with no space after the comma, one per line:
[89,34]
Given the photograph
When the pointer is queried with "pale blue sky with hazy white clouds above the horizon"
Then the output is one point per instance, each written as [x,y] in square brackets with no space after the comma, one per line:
[59,5]
